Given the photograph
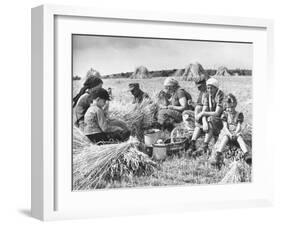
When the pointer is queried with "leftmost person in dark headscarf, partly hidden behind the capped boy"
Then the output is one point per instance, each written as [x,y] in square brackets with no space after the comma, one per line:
[83,99]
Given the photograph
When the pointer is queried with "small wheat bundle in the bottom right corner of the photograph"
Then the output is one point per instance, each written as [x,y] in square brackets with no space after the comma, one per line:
[239,172]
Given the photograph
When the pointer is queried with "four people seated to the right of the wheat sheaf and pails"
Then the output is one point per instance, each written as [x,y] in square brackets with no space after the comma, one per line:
[214,114]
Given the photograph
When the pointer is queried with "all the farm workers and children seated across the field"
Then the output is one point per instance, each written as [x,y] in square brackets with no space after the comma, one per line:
[213,113]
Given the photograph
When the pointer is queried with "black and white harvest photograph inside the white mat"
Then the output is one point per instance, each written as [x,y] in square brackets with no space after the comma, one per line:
[160,112]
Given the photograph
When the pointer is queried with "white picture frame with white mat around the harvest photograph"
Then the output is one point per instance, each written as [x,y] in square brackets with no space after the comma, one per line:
[52,198]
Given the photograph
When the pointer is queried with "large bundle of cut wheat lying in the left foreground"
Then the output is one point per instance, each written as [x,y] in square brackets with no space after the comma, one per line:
[97,166]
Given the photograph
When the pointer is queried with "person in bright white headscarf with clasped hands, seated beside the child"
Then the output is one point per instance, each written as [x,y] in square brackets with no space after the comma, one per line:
[210,116]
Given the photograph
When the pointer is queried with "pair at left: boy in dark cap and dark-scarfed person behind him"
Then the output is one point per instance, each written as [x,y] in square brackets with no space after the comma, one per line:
[91,113]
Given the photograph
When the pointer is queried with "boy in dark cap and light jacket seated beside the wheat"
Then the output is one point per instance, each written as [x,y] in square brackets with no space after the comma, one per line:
[98,127]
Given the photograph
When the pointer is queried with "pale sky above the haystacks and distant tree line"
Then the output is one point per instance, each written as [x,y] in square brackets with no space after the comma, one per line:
[110,55]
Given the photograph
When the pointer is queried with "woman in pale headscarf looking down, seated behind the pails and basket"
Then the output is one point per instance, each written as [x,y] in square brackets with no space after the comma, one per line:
[176,101]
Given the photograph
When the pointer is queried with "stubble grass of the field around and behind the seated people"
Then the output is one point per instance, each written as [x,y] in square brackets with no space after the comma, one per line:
[177,170]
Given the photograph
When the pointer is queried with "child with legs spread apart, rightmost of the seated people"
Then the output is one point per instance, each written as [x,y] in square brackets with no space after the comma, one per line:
[232,121]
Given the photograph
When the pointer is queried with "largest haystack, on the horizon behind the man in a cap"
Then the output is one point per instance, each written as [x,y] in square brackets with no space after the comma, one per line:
[194,72]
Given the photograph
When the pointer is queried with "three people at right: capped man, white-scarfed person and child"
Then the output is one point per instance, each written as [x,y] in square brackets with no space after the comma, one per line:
[216,114]
